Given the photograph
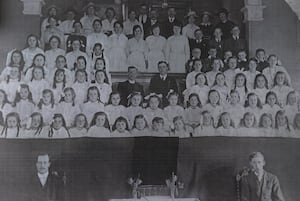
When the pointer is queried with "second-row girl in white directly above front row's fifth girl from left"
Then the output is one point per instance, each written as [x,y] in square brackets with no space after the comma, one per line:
[93,103]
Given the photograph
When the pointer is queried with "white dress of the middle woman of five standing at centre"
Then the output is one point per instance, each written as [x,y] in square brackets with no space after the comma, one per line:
[137,51]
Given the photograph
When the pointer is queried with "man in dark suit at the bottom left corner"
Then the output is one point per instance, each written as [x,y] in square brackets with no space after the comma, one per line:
[45,185]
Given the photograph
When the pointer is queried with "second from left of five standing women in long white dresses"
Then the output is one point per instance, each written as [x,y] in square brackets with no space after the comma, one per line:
[117,51]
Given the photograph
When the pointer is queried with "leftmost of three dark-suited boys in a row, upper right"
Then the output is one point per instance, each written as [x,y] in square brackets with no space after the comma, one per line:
[200,43]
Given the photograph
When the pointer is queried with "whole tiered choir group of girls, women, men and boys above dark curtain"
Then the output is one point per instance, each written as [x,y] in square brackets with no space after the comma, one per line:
[60,85]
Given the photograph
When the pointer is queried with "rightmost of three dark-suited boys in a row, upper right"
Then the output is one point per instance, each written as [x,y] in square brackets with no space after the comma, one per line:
[235,42]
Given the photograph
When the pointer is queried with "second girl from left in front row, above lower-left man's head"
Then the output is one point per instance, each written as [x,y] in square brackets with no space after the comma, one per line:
[35,127]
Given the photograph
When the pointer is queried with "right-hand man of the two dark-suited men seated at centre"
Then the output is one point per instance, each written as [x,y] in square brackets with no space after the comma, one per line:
[162,83]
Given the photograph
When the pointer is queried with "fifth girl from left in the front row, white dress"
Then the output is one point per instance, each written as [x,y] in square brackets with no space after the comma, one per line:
[99,126]
